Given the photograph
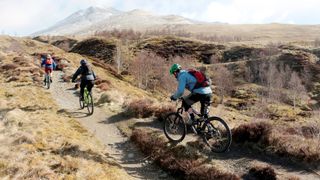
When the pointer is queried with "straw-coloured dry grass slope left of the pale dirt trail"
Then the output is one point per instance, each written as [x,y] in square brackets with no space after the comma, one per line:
[39,143]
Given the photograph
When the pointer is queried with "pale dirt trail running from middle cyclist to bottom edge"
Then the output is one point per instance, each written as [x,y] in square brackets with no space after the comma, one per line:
[117,145]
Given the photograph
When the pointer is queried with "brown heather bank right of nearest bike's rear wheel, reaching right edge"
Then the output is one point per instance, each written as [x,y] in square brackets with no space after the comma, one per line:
[297,142]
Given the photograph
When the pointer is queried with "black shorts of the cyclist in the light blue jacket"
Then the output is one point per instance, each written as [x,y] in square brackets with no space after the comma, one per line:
[204,99]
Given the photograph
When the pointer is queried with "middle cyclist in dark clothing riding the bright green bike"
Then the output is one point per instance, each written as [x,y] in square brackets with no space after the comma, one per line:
[87,77]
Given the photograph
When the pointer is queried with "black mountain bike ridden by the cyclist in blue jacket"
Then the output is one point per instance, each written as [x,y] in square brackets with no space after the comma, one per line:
[214,131]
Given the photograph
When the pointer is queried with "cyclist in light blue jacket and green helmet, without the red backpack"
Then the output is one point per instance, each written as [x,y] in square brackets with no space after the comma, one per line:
[187,81]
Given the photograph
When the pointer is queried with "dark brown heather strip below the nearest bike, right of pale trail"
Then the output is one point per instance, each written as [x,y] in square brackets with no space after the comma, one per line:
[180,161]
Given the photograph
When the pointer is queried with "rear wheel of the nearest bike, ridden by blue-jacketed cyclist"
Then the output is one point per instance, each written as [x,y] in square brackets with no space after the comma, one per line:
[217,135]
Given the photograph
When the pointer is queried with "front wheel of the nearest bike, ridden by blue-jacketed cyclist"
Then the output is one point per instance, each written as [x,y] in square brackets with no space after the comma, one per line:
[174,127]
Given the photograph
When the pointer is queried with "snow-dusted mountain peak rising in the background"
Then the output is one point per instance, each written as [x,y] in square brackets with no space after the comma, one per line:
[94,19]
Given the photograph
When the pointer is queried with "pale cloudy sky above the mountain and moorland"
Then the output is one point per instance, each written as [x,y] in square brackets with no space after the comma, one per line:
[23,17]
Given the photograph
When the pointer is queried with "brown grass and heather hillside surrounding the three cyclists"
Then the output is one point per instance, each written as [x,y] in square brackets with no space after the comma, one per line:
[275,134]
